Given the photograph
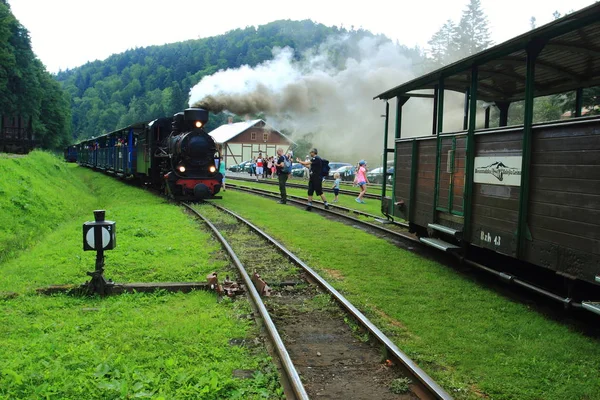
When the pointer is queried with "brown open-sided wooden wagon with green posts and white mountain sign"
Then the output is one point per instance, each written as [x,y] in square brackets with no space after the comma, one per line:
[529,191]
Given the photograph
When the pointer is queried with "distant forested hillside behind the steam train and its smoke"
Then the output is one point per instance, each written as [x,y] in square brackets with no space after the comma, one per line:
[146,83]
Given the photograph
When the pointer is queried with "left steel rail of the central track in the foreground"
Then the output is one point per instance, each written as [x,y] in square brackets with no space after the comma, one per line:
[286,361]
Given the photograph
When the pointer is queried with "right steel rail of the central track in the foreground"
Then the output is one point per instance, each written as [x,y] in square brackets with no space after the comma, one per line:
[426,382]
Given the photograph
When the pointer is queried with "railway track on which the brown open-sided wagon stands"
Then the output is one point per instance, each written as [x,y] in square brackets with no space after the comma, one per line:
[397,231]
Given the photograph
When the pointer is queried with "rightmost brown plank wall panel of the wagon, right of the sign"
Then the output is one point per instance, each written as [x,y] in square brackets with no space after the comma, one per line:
[564,207]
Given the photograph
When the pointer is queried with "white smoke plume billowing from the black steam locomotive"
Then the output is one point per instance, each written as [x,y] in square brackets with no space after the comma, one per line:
[312,96]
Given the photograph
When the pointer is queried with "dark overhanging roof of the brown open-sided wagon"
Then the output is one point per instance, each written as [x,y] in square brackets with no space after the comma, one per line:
[570,59]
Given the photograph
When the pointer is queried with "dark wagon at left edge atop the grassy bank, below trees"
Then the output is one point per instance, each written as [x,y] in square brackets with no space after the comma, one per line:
[16,135]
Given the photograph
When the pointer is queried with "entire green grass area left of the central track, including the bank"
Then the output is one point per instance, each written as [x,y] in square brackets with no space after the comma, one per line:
[144,345]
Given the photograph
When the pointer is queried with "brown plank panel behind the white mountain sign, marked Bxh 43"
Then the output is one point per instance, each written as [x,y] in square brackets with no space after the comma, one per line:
[495,208]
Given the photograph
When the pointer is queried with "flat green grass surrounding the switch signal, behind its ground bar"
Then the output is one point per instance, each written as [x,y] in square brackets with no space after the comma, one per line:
[155,241]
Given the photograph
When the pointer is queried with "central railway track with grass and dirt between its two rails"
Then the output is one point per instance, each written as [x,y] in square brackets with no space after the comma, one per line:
[307,328]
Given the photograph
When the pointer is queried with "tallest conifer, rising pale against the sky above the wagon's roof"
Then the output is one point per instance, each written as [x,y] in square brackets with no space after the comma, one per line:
[473,31]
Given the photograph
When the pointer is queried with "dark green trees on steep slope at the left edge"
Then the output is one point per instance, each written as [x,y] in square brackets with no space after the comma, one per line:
[27,89]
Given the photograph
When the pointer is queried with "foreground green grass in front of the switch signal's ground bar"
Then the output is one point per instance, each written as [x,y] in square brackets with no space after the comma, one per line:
[160,346]
